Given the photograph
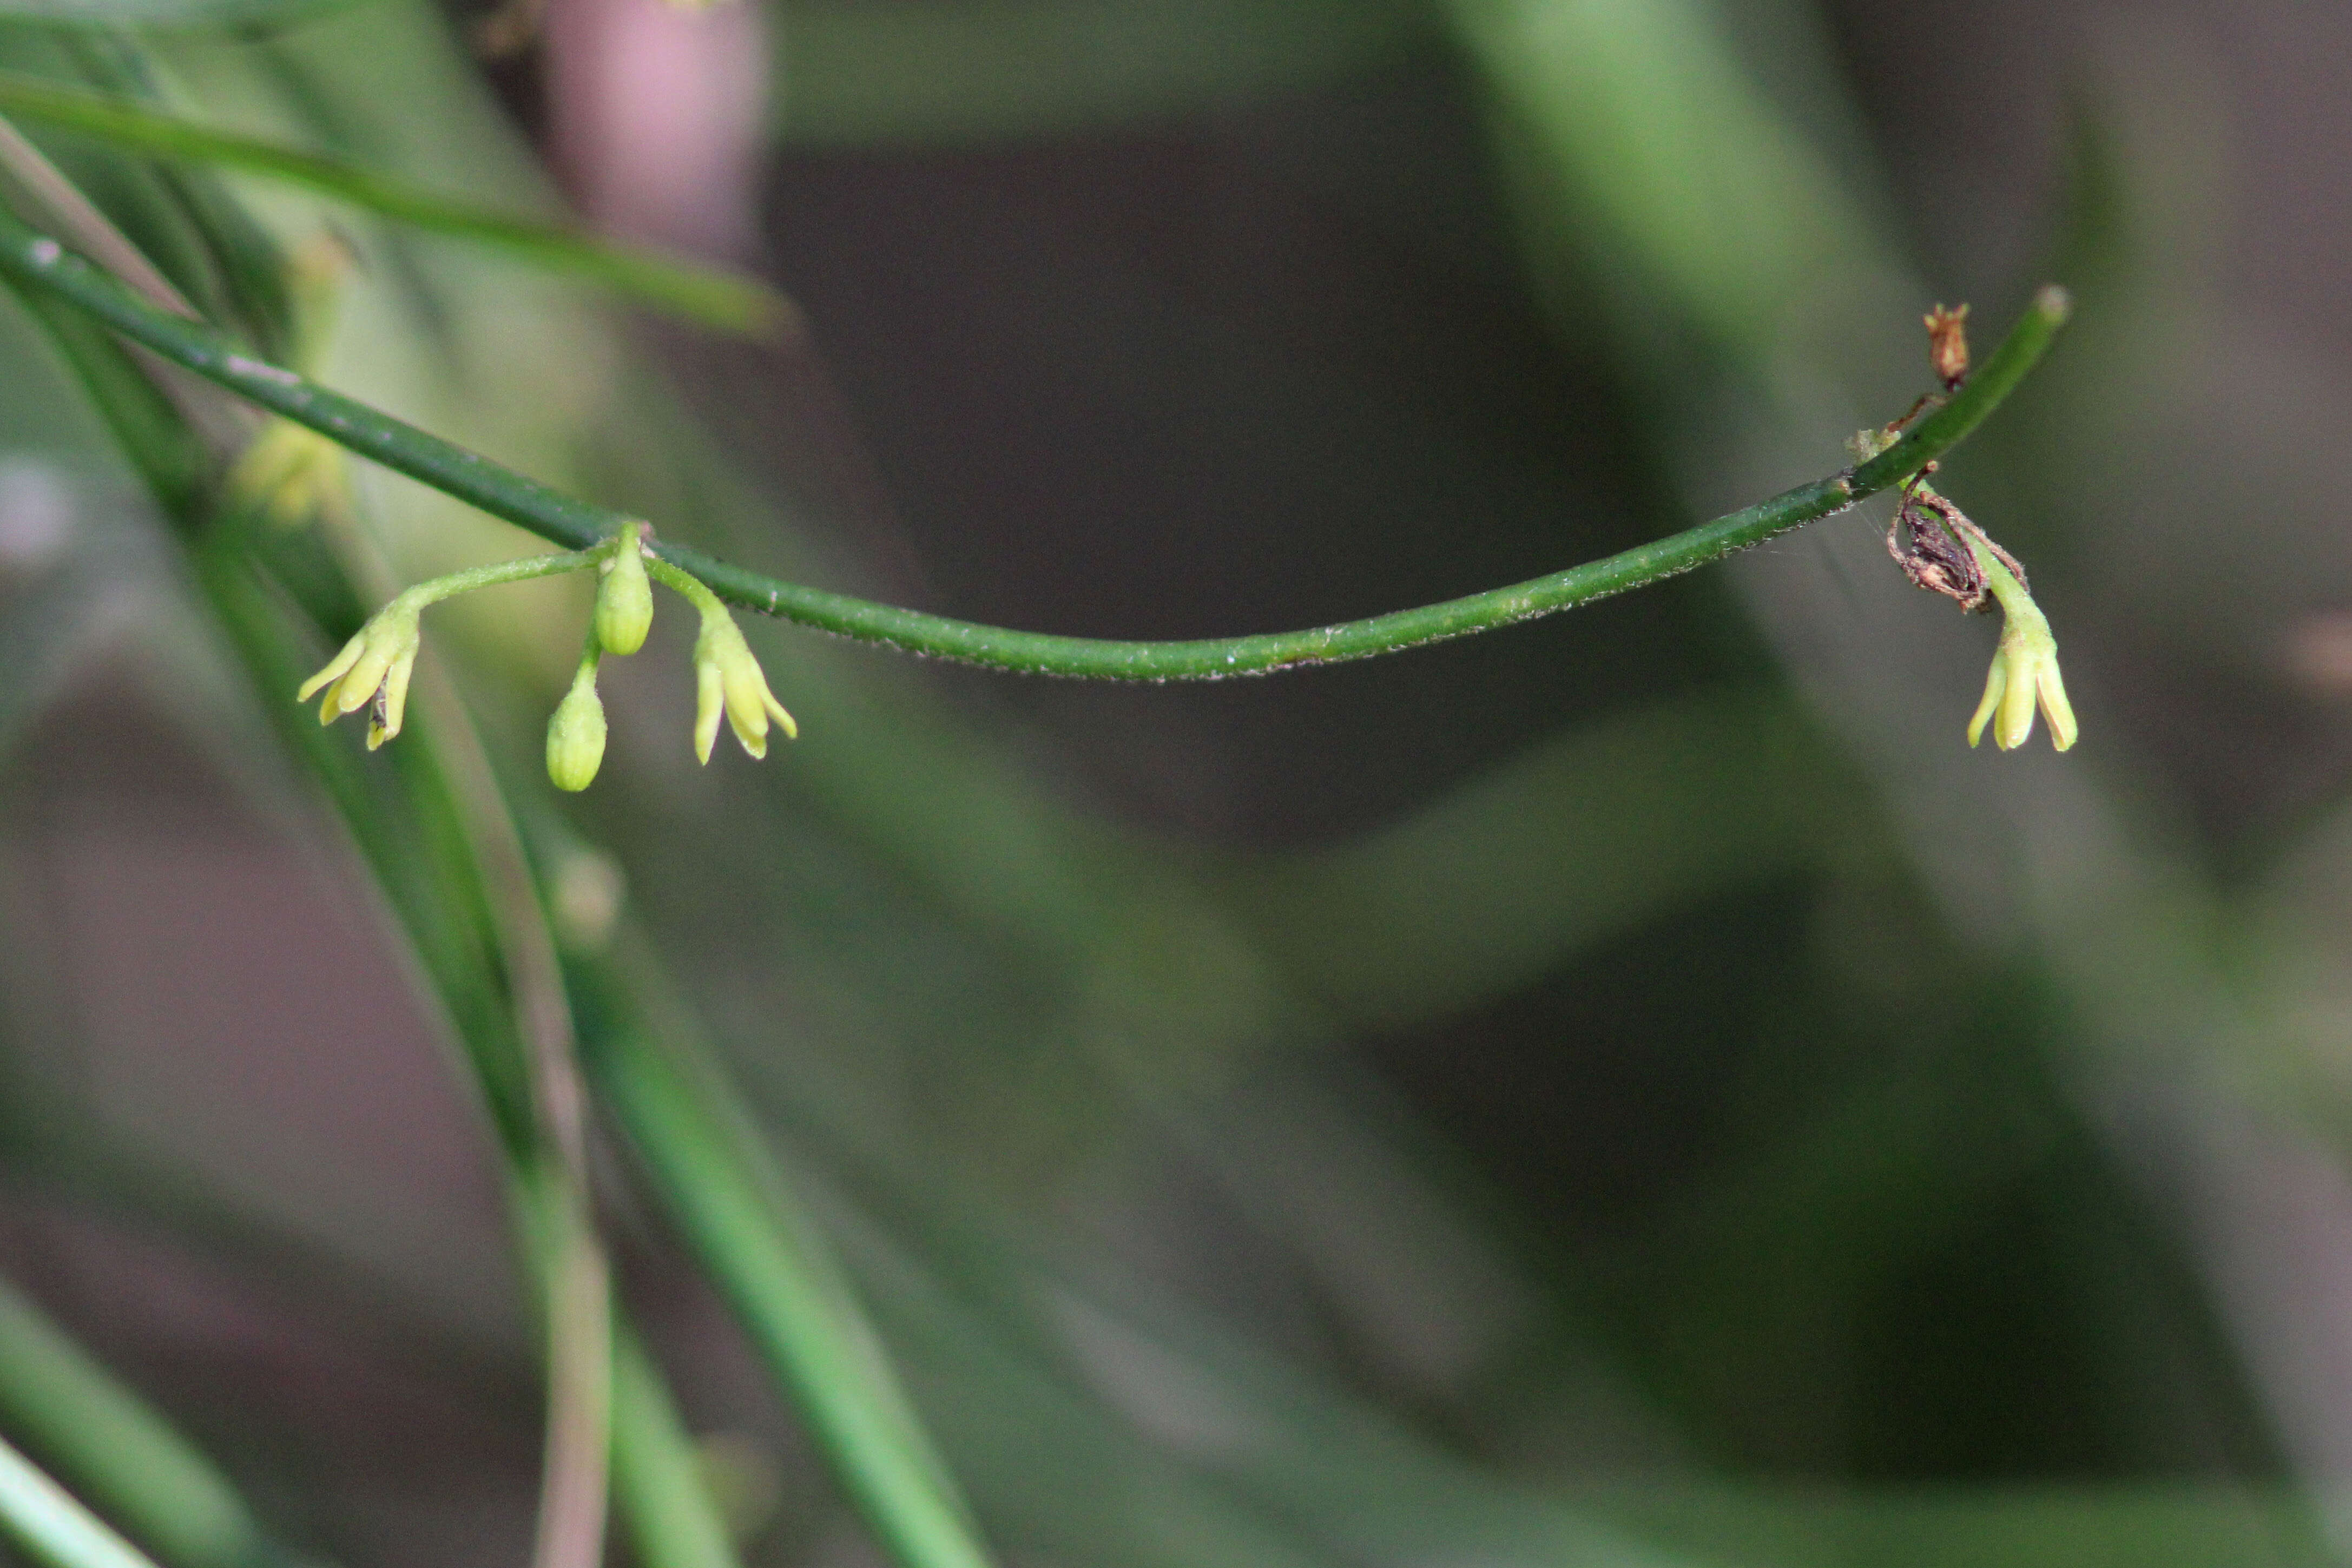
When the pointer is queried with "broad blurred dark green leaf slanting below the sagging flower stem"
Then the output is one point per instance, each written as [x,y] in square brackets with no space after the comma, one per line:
[1497,883]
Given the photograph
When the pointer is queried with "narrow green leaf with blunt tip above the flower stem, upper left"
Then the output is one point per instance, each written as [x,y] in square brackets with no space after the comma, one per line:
[690,290]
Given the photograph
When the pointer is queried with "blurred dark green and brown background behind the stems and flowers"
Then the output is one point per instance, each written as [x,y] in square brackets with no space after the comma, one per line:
[1626,1087]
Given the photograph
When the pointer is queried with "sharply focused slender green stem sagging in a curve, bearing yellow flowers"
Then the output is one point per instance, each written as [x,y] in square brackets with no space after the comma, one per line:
[46,267]
